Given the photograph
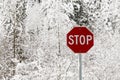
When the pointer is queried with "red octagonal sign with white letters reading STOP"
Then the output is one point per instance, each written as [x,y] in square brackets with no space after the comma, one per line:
[80,39]
